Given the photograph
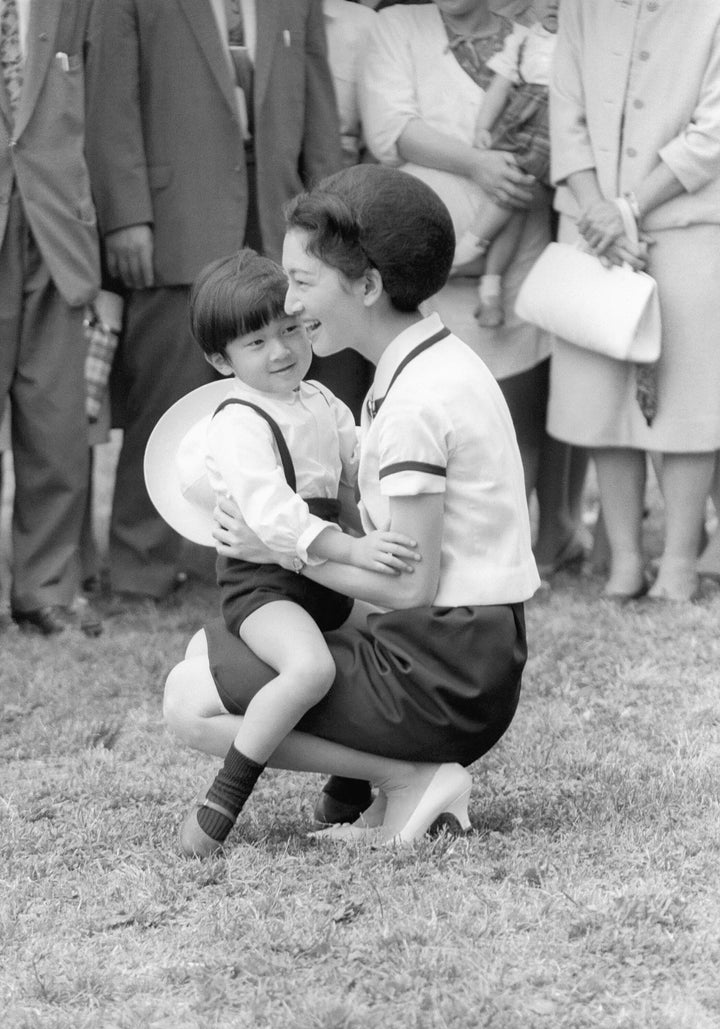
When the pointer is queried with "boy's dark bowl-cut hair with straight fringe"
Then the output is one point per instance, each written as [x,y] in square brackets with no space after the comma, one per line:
[235,296]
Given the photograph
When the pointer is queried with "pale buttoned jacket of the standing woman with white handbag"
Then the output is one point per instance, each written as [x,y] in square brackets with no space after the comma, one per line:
[635,83]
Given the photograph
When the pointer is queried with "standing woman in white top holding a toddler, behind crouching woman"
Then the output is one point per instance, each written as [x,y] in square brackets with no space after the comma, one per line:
[427,70]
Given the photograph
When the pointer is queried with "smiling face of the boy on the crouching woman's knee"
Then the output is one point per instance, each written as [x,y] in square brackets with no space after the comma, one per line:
[274,360]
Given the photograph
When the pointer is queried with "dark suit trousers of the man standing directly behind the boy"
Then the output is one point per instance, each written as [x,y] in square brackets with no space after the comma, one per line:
[158,362]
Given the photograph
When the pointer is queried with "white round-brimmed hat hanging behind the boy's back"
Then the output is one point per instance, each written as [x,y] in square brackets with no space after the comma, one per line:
[175,472]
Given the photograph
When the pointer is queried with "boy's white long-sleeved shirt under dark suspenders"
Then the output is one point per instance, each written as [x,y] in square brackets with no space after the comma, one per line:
[243,464]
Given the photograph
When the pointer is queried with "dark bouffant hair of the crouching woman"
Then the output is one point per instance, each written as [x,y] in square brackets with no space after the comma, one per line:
[371,217]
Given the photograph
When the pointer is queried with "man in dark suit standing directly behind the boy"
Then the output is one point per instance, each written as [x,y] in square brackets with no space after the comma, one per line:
[188,166]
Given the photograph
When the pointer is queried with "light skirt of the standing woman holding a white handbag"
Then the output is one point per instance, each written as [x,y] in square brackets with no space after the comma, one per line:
[593,401]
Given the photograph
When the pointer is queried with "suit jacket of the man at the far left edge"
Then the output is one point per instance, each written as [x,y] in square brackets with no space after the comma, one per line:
[44,152]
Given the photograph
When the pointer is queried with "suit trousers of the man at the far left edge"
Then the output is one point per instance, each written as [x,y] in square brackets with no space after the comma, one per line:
[43,356]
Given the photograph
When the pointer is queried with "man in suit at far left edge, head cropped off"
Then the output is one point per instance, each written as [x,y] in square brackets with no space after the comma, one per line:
[49,271]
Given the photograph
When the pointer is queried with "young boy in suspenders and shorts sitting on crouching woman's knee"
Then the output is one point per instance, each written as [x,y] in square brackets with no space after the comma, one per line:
[279,446]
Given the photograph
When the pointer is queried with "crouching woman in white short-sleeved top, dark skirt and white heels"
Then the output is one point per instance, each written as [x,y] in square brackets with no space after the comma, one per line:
[430,682]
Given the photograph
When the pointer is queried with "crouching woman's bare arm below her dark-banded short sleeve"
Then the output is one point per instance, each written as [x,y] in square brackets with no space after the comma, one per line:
[420,518]
